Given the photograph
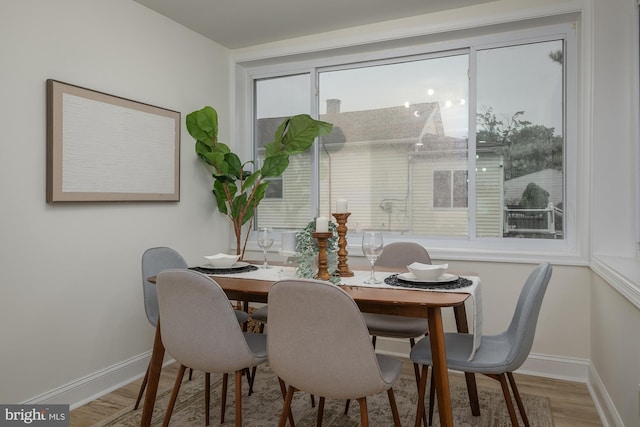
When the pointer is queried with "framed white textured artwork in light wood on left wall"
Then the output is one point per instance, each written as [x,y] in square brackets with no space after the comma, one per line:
[102,147]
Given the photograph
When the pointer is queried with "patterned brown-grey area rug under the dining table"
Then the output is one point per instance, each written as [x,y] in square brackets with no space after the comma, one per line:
[263,407]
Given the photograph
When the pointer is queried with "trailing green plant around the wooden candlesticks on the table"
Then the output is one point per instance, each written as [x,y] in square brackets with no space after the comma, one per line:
[308,251]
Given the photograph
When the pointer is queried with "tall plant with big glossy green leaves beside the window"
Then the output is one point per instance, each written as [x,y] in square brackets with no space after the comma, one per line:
[239,187]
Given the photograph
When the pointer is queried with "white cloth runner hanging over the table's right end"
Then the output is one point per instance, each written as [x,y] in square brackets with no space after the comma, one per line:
[280,273]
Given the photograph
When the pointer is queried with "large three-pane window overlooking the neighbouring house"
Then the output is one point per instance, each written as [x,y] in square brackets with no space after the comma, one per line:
[463,143]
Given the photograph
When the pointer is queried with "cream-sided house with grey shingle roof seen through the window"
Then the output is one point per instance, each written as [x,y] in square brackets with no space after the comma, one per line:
[414,178]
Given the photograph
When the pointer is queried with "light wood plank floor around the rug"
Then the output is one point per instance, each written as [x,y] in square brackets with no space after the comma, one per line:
[571,403]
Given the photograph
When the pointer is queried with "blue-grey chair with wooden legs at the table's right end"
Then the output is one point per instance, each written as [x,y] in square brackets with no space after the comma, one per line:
[498,355]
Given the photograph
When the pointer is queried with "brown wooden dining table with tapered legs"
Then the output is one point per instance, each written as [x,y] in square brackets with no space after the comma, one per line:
[404,302]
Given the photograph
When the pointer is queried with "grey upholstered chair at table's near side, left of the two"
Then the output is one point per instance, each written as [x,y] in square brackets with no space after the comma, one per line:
[200,330]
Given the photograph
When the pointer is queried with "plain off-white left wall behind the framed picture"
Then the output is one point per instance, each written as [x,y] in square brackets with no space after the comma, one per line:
[71,300]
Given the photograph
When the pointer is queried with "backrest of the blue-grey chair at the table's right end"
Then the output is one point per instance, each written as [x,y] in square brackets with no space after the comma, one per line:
[522,328]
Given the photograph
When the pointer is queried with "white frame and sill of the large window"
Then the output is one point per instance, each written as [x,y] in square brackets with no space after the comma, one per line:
[571,249]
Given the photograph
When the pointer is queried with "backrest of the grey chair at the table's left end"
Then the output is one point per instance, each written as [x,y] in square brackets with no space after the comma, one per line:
[154,260]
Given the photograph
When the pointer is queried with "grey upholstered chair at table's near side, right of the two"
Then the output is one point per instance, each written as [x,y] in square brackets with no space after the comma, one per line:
[318,343]
